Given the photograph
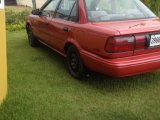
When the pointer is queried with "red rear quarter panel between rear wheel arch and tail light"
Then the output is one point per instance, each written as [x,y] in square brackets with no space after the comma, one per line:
[93,39]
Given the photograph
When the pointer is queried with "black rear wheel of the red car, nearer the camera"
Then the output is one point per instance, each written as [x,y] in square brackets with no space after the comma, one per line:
[75,63]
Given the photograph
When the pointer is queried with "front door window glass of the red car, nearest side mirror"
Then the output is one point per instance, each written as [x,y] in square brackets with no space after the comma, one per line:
[49,10]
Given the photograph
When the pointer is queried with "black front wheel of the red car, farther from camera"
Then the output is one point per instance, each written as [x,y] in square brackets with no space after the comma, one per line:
[31,38]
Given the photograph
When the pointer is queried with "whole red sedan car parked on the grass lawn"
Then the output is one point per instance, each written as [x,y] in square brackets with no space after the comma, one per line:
[115,37]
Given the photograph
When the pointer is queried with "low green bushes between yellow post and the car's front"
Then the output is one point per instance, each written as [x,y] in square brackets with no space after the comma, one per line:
[15,20]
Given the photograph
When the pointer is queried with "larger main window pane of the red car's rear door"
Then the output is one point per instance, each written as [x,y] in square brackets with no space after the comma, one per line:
[64,9]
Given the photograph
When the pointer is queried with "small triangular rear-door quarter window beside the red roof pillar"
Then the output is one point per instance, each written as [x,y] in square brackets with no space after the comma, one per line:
[74,14]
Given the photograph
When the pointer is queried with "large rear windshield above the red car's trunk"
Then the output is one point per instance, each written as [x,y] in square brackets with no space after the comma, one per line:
[111,10]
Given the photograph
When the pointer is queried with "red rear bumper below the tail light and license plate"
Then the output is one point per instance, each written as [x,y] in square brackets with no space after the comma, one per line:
[122,67]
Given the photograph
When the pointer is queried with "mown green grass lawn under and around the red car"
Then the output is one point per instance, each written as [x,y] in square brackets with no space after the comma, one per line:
[40,88]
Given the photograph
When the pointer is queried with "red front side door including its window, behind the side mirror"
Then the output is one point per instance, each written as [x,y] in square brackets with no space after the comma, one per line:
[44,19]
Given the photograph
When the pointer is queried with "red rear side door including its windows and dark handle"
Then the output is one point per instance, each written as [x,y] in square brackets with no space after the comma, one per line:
[66,16]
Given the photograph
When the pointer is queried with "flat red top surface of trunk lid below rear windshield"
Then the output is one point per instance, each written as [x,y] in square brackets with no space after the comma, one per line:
[132,26]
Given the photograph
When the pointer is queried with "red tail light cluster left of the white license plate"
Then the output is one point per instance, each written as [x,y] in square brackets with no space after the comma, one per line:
[124,46]
